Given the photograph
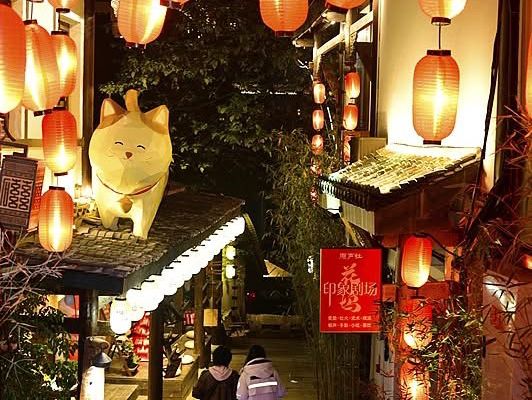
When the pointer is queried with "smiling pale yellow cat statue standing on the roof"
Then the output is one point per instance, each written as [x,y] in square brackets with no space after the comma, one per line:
[130,153]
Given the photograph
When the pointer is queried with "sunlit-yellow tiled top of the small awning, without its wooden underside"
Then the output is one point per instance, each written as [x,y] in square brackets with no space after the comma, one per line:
[394,172]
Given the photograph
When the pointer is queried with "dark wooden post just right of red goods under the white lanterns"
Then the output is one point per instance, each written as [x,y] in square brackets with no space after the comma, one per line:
[155,366]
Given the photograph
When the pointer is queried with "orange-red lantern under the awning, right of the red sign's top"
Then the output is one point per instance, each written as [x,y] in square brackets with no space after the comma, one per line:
[416,261]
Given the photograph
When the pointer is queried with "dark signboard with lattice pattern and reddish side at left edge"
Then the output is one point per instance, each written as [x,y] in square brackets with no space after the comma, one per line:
[21,181]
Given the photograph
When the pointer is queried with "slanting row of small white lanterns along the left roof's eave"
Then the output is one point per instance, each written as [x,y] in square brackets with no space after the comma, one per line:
[131,306]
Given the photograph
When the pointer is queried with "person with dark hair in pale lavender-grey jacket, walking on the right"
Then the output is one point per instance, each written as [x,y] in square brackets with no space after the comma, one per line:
[258,379]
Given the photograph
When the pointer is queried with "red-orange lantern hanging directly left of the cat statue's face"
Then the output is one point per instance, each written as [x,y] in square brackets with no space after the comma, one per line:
[59,139]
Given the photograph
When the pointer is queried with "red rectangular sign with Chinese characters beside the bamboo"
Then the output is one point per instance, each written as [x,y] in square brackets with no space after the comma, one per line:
[350,290]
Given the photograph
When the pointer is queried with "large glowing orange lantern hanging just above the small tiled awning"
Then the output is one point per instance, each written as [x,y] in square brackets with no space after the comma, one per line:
[436,86]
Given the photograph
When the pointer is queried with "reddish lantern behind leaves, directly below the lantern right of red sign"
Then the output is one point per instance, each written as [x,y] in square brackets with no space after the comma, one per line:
[417,324]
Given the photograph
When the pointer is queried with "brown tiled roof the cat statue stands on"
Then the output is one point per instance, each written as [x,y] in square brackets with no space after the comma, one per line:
[115,261]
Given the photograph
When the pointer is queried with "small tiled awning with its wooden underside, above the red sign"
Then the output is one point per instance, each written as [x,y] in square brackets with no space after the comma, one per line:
[400,188]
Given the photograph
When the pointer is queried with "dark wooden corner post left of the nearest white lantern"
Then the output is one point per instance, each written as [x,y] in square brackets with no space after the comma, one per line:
[88,324]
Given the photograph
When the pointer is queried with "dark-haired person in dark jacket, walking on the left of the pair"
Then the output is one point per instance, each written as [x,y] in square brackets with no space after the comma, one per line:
[219,381]
